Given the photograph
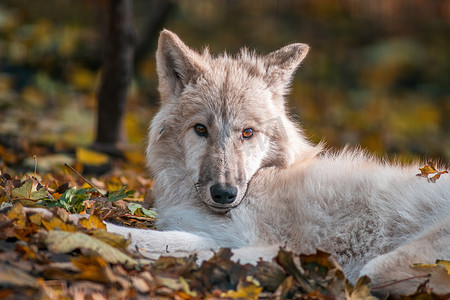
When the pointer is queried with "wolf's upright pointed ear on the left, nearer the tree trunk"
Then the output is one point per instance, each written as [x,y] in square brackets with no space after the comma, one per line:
[176,64]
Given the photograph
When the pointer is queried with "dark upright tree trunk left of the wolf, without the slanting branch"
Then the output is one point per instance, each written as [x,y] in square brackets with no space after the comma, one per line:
[116,76]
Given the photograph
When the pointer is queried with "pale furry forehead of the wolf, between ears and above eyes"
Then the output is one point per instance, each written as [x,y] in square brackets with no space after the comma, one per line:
[230,92]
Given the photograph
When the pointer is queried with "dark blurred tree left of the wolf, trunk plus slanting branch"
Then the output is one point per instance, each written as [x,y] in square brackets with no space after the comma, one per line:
[118,67]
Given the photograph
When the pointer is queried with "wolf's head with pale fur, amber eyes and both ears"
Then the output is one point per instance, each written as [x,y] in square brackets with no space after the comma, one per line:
[221,120]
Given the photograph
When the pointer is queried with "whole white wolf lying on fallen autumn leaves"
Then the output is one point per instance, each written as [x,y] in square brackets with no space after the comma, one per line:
[232,170]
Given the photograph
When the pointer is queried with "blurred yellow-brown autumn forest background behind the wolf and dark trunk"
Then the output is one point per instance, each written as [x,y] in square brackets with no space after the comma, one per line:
[377,73]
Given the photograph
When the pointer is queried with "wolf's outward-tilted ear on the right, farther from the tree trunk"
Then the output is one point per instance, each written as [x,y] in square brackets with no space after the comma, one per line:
[281,64]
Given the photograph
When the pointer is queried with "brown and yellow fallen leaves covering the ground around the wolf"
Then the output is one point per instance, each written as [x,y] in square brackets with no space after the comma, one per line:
[54,245]
